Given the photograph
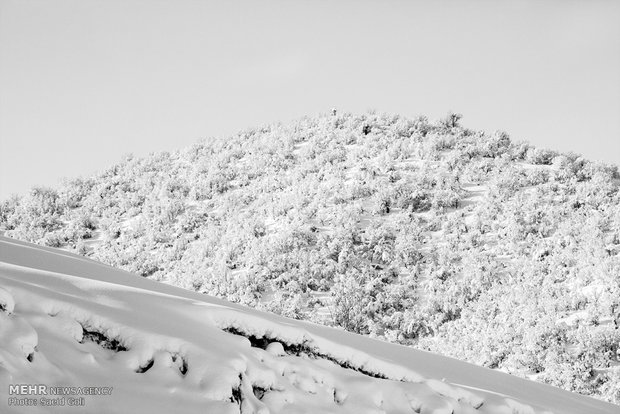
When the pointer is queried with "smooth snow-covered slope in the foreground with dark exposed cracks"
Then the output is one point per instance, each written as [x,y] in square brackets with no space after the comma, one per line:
[68,321]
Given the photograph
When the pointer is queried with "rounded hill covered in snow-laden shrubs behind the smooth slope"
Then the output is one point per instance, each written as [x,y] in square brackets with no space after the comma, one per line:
[426,234]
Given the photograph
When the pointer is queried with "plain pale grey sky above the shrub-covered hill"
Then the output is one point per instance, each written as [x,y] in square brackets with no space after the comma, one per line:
[85,82]
